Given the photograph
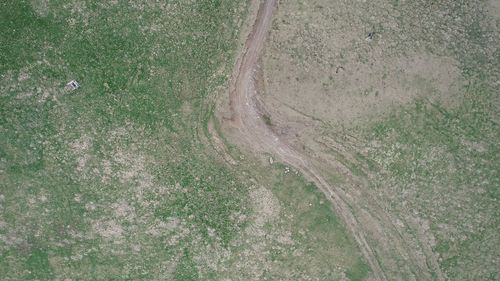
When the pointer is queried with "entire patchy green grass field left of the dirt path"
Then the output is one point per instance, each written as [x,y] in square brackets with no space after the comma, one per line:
[115,180]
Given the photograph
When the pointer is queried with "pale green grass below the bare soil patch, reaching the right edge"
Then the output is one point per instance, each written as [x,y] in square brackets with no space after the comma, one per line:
[448,161]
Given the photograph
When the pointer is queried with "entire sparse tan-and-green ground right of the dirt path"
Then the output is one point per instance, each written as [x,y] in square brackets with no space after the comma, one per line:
[410,127]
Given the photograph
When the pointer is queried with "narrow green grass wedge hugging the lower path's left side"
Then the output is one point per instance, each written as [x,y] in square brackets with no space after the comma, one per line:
[322,236]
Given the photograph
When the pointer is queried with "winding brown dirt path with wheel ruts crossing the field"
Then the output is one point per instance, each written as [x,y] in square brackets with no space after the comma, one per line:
[246,117]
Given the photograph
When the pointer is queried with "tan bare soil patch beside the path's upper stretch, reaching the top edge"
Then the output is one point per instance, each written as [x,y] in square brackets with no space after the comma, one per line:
[336,68]
